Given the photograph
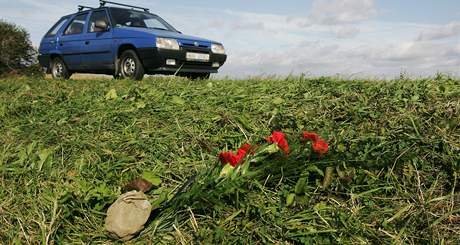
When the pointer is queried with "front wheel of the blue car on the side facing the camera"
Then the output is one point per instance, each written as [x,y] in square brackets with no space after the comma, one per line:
[130,66]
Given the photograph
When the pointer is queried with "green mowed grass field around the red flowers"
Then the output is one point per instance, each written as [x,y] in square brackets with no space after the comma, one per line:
[68,147]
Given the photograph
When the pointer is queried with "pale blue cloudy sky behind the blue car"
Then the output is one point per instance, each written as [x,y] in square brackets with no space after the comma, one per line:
[350,38]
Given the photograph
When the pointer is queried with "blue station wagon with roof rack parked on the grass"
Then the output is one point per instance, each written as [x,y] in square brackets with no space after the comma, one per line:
[127,42]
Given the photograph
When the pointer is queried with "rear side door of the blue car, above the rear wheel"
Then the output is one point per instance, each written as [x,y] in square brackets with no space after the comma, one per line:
[72,40]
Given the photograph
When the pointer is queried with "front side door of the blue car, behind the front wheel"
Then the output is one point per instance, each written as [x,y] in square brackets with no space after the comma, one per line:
[98,53]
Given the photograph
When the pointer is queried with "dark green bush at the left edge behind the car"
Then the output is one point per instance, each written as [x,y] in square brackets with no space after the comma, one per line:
[17,55]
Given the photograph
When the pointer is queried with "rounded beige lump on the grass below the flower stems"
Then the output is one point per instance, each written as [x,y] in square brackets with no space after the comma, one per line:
[128,215]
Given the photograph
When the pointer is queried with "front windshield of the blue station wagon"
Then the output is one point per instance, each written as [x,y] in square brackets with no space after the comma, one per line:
[133,18]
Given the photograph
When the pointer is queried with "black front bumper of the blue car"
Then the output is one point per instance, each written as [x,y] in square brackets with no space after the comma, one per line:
[154,61]
